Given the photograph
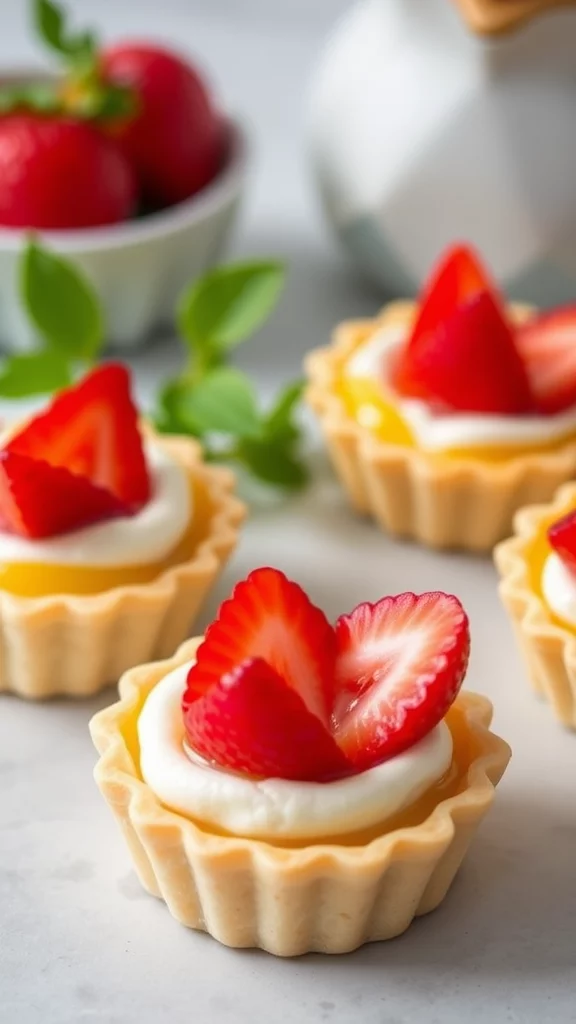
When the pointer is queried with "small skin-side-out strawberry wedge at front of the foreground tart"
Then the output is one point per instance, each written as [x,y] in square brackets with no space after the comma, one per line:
[251,721]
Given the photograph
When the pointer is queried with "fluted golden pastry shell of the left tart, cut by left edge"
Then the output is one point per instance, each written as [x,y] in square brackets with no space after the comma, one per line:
[76,646]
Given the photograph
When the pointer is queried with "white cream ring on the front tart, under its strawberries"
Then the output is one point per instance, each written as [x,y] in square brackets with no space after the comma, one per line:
[276,808]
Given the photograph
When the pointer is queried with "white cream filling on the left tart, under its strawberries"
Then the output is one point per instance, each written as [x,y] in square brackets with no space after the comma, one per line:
[147,537]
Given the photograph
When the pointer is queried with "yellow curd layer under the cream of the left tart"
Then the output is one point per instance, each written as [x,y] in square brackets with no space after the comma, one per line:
[32,580]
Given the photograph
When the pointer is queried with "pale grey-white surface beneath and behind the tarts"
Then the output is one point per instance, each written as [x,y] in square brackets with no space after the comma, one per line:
[79,942]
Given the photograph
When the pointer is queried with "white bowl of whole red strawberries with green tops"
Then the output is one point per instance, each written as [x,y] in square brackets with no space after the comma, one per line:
[124,162]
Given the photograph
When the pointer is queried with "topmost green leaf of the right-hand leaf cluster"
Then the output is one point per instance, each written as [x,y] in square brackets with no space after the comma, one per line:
[229,304]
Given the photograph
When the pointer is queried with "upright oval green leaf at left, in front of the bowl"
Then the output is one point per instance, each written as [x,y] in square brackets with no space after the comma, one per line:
[61,304]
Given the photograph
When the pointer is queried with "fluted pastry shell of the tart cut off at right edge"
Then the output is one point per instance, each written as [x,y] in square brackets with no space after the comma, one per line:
[549,649]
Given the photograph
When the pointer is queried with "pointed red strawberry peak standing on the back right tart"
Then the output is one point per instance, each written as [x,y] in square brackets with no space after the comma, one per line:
[462,356]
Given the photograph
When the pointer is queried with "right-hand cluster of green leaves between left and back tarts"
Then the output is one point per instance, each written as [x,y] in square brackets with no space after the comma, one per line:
[218,403]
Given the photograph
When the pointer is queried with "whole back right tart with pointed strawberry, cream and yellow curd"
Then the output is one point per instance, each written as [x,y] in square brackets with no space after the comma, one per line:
[443,417]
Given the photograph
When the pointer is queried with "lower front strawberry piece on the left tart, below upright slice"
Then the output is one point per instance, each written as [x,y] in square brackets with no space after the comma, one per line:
[38,500]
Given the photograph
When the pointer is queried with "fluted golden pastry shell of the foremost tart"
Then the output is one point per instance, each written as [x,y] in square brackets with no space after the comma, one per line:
[324,899]
